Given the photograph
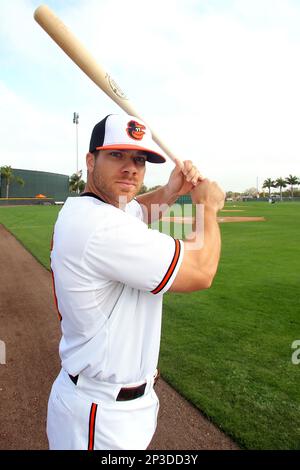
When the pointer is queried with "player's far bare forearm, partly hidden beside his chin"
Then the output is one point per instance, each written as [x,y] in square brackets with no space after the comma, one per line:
[156,202]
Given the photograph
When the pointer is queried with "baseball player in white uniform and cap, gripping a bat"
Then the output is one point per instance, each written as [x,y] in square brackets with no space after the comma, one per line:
[110,272]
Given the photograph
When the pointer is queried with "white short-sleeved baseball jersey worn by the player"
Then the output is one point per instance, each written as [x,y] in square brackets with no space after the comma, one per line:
[110,272]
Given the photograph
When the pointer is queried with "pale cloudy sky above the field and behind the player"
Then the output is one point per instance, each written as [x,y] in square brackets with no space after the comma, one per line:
[218,80]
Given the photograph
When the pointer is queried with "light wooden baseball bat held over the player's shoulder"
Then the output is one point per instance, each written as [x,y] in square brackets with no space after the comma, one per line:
[68,42]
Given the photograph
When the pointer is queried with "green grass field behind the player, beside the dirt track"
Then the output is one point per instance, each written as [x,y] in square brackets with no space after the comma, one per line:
[227,349]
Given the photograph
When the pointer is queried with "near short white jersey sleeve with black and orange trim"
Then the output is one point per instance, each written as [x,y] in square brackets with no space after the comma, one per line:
[127,251]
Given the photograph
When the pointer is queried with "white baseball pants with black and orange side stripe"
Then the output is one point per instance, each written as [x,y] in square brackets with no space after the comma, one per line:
[87,416]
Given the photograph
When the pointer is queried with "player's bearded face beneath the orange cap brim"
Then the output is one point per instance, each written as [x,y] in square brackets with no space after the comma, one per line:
[117,173]
